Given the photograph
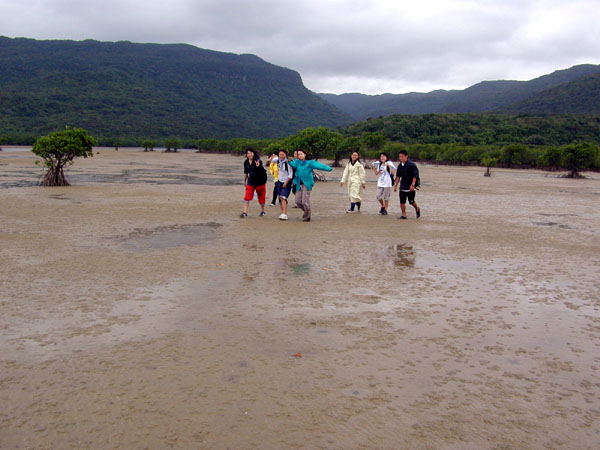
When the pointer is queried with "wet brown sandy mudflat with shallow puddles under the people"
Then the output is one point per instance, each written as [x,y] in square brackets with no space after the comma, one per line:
[139,311]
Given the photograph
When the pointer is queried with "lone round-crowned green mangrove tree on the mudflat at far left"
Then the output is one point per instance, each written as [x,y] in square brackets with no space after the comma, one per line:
[60,149]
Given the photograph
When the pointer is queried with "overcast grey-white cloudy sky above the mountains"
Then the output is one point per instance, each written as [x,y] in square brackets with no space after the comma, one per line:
[342,46]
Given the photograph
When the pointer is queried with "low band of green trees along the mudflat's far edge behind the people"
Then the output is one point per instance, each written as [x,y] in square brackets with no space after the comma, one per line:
[547,142]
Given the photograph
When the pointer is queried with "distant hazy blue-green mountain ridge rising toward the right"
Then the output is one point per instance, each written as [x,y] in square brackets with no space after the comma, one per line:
[487,96]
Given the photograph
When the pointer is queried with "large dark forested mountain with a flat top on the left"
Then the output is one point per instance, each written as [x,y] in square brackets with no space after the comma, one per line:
[124,91]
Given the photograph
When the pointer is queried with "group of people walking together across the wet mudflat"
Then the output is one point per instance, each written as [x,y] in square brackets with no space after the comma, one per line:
[296,175]
